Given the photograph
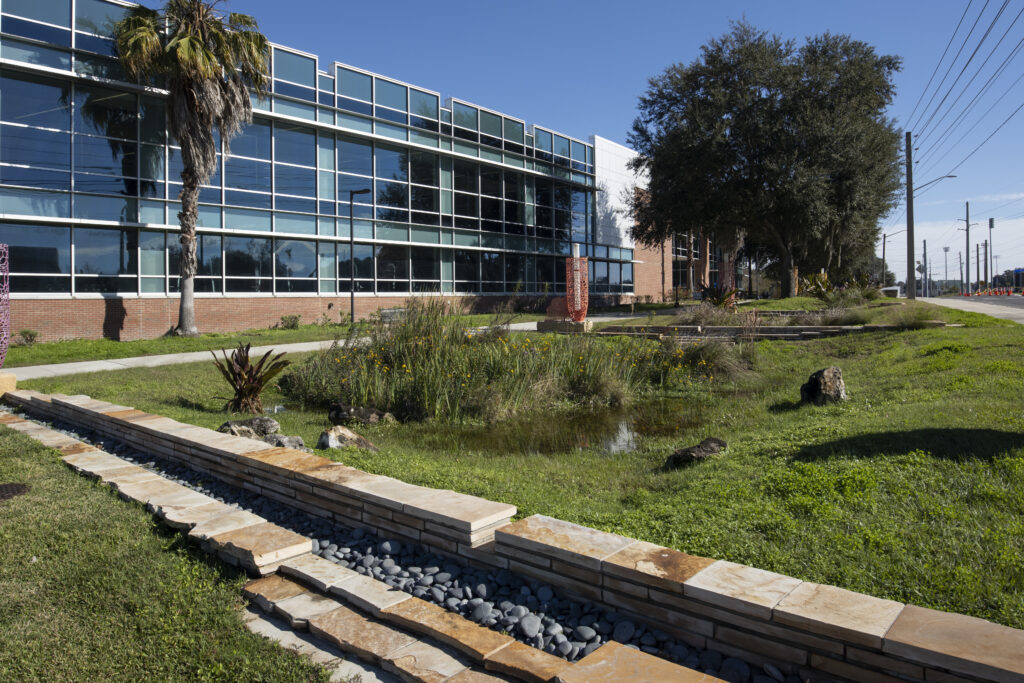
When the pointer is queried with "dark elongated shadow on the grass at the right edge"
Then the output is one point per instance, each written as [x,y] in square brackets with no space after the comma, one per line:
[954,444]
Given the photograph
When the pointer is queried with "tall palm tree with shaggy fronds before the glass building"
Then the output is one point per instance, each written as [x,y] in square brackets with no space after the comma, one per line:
[208,62]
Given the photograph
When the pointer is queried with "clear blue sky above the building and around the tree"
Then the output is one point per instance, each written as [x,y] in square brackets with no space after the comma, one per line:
[579,68]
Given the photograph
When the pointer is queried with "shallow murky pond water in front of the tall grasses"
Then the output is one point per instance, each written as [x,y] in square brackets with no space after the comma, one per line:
[609,432]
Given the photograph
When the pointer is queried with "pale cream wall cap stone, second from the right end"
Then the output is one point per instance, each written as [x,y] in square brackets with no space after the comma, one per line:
[834,612]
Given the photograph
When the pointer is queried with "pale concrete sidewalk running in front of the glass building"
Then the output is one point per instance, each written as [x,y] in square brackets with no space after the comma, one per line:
[60,369]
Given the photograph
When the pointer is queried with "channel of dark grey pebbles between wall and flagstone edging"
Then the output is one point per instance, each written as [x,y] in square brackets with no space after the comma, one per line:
[529,611]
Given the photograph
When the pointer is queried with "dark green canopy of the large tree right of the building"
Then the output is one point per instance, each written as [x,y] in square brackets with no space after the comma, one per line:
[785,150]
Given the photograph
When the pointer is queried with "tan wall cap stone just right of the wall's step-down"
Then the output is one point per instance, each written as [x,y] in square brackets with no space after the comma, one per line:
[579,545]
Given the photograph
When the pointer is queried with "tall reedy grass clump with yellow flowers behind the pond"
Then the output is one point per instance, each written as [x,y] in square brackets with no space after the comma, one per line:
[431,366]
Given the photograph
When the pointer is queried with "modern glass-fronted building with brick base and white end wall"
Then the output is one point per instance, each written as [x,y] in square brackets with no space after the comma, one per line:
[447,197]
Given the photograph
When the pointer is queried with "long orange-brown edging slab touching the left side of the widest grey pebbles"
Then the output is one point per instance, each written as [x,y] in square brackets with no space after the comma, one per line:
[426,618]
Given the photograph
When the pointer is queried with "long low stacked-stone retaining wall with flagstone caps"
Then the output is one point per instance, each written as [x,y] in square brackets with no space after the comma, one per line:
[813,630]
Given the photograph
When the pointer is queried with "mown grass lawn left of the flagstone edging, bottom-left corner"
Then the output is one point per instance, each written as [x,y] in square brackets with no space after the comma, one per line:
[93,589]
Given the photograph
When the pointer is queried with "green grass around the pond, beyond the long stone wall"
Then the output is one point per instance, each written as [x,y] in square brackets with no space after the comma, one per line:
[913,490]
